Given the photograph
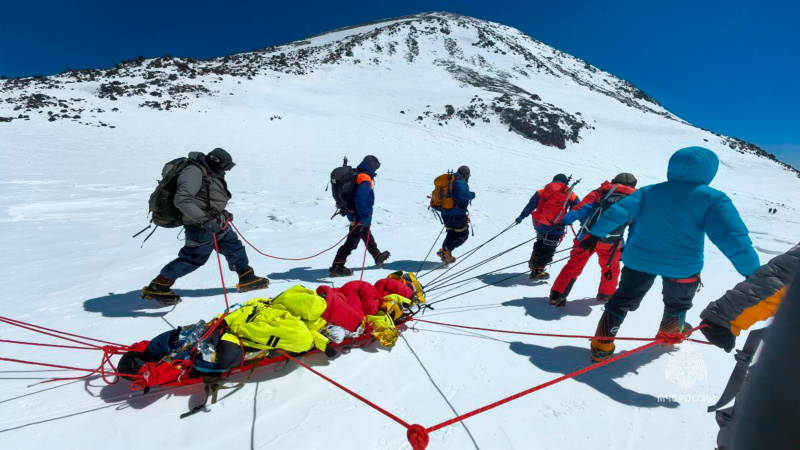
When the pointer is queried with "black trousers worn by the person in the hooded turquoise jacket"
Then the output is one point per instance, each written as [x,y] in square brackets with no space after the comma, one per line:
[633,286]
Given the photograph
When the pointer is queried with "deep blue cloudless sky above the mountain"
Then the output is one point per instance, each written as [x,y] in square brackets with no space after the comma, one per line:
[730,66]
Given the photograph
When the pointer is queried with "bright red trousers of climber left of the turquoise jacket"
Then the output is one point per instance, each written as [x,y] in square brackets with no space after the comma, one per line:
[577,261]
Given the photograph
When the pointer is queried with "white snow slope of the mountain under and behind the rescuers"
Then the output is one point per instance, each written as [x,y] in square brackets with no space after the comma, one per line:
[74,191]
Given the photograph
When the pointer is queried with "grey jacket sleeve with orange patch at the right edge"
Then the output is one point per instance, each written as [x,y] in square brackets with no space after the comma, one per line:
[758,296]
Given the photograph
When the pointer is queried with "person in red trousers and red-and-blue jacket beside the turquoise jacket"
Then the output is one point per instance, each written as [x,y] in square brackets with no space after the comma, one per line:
[609,249]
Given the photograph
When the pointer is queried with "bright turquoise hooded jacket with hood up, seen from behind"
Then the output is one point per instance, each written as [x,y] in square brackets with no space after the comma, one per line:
[671,219]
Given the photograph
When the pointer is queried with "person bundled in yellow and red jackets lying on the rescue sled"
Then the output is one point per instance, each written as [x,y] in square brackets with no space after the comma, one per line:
[296,321]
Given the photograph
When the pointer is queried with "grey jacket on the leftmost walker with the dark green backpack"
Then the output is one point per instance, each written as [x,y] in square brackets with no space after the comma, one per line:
[201,194]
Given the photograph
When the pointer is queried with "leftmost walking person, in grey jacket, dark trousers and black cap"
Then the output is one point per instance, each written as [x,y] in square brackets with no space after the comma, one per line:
[201,196]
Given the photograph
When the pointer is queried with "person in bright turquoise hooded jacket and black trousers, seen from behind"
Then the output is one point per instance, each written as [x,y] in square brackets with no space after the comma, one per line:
[669,222]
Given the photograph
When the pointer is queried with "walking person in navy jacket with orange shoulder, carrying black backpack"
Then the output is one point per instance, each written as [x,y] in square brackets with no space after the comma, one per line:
[361,221]
